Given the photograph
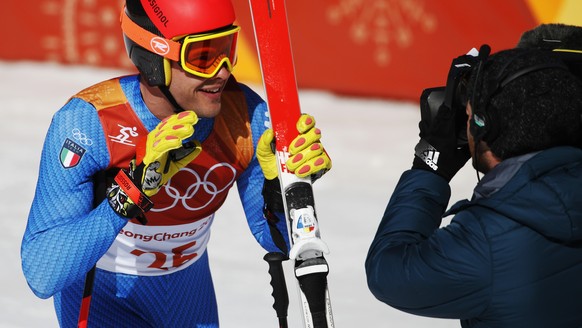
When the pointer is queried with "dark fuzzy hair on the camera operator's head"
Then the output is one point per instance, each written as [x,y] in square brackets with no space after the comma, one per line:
[539,109]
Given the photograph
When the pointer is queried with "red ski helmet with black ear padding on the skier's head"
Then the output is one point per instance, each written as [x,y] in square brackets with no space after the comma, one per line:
[143,20]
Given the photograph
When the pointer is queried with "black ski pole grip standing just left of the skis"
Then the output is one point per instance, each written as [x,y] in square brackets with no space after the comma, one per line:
[280,294]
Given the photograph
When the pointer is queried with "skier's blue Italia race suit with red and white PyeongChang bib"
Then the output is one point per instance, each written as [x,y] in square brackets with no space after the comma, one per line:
[154,275]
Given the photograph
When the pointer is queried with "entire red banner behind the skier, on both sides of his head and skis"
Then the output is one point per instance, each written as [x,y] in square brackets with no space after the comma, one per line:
[379,48]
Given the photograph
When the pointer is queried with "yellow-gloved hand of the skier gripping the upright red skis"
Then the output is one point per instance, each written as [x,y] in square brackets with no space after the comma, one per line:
[307,157]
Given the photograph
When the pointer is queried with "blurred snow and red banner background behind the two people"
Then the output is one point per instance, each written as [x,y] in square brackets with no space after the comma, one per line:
[361,66]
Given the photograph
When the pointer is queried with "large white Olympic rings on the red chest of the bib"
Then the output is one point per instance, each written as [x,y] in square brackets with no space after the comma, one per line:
[200,185]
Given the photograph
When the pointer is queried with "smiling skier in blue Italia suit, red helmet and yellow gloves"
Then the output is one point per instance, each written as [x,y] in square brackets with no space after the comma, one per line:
[133,170]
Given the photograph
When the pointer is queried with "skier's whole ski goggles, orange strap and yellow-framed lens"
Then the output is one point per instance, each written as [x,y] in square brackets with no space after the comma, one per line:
[201,55]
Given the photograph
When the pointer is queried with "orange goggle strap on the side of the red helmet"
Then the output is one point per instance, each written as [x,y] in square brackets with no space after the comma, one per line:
[167,48]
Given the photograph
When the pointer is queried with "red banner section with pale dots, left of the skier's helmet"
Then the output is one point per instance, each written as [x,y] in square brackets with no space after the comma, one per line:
[65,31]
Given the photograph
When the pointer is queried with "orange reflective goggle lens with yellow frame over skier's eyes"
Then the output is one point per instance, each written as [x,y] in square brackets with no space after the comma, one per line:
[204,54]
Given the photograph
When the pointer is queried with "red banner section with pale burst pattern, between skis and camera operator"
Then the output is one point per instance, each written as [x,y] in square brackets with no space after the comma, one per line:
[395,48]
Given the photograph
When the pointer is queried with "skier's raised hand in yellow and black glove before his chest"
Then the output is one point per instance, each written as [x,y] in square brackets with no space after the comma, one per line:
[160,157]
